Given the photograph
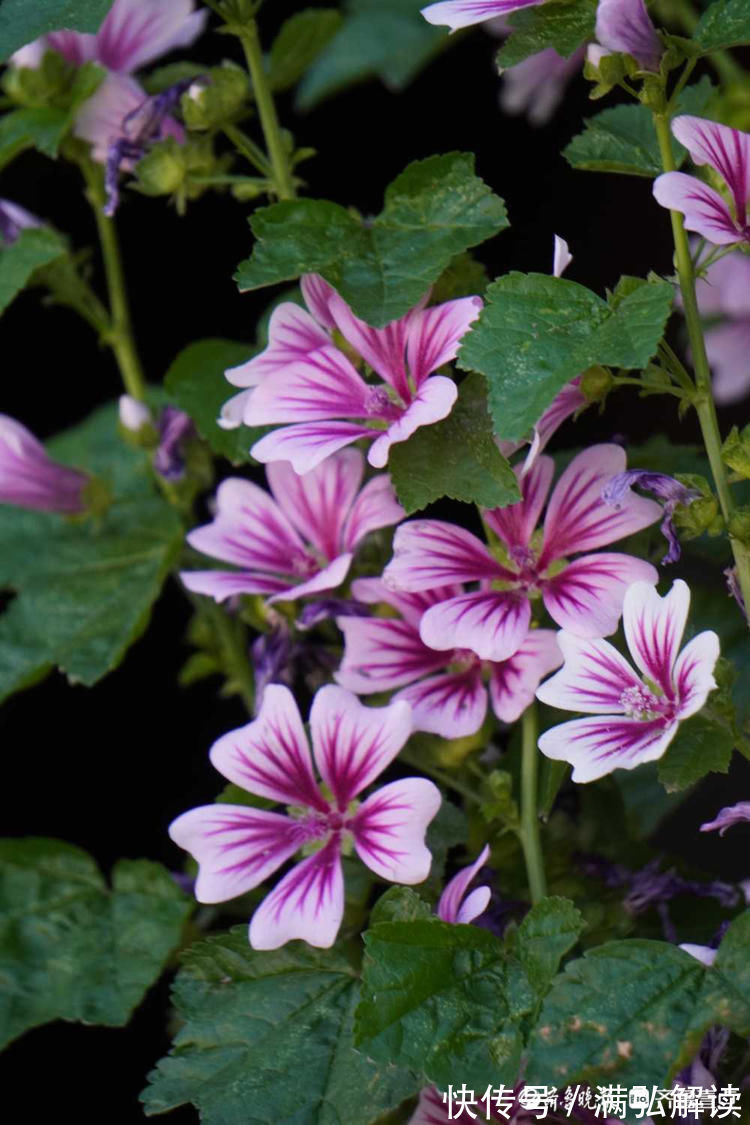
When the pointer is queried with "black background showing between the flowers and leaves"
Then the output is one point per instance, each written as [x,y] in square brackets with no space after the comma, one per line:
[121,762]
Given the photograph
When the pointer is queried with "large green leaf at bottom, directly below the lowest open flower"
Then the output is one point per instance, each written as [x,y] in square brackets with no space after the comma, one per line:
[267,1041]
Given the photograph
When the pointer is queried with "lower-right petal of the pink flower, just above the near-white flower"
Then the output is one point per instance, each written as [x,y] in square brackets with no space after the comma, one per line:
[588,598]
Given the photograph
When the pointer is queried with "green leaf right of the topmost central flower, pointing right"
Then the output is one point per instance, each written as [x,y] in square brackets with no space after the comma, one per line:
[537,332]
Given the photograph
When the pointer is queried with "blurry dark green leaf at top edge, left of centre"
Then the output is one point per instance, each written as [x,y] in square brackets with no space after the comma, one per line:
[381,39]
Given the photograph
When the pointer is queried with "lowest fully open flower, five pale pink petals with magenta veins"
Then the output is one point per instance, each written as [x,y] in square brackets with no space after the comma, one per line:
[239,848]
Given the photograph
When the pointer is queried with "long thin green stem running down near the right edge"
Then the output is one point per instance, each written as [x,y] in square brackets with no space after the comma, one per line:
[704,401]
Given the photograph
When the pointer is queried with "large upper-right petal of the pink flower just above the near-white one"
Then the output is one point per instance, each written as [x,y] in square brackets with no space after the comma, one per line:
[577,518]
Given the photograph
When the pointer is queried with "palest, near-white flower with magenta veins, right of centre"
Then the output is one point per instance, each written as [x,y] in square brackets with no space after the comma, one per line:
[634,719]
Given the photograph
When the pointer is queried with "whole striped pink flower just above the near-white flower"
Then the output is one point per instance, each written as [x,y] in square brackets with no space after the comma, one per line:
[584,597]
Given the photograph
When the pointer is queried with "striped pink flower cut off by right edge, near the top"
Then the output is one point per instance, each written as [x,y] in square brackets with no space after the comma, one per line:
[706,211]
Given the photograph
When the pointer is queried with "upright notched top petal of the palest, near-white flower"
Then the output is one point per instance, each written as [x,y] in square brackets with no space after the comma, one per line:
[654,629]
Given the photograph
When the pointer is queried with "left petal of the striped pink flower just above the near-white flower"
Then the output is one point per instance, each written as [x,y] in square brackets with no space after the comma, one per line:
[431,553]
